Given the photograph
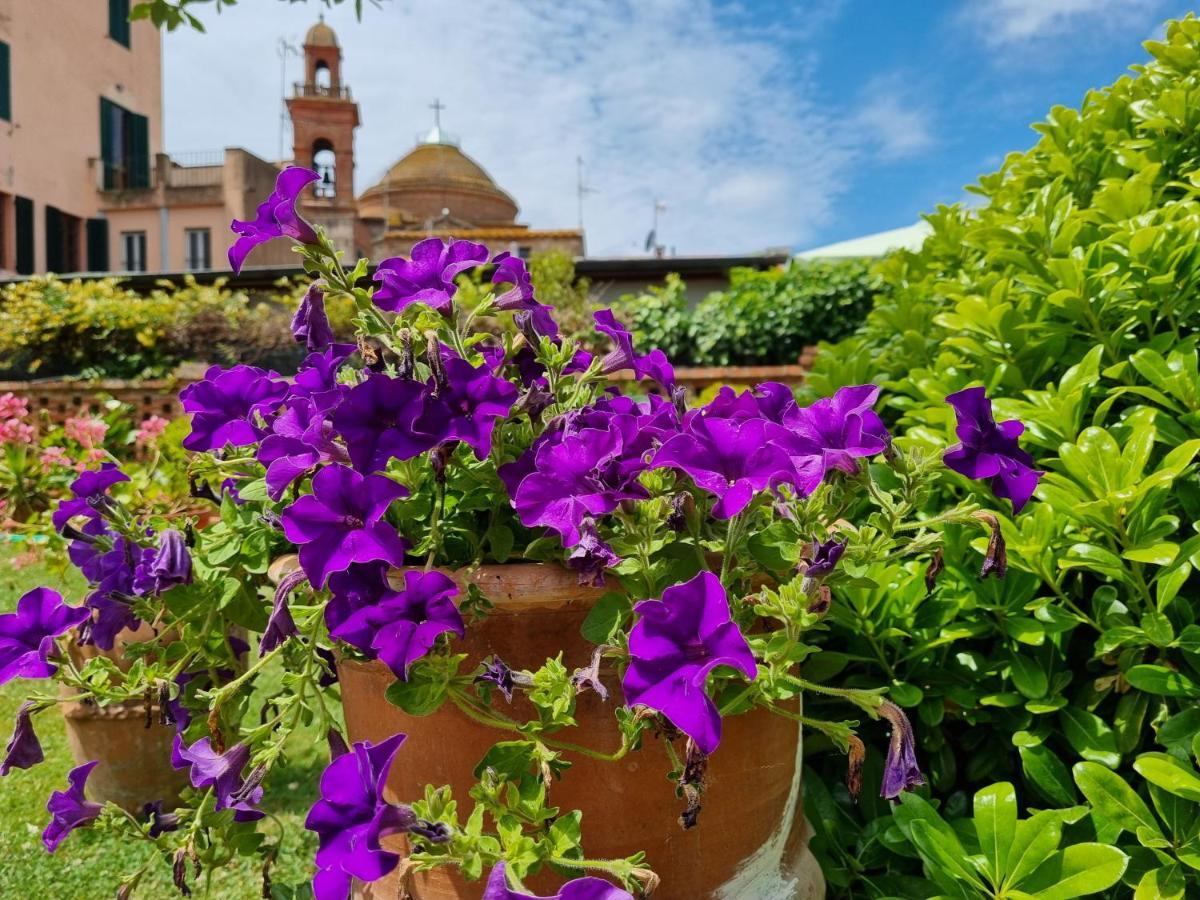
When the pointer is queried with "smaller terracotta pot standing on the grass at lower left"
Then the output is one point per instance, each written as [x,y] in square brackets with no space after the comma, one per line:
[135,760]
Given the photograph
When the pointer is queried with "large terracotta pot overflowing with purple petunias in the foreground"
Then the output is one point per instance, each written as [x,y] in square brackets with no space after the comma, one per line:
[562,641]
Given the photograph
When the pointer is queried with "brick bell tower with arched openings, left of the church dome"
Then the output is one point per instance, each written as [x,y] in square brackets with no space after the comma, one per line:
[325,117]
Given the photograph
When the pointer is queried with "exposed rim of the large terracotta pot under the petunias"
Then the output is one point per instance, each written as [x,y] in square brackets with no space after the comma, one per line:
[512,589]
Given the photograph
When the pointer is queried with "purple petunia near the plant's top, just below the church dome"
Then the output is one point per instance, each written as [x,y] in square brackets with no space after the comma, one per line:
[428,277]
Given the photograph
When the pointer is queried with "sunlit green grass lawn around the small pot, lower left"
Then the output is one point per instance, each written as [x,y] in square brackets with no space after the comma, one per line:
[89,866]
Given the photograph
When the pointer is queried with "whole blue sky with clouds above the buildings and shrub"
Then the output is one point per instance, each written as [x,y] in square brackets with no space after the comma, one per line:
[759,124]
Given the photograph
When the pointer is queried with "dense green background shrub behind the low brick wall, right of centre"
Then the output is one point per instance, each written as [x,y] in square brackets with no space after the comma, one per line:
[763,319]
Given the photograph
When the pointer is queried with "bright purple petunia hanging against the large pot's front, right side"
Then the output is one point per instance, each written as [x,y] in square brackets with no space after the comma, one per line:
[675,645]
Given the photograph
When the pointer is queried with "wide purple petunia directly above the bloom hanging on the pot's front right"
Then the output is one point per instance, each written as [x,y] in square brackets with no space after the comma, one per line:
[731,460]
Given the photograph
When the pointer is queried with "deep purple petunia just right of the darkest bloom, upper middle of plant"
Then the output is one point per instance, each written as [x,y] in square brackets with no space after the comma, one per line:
[467,409]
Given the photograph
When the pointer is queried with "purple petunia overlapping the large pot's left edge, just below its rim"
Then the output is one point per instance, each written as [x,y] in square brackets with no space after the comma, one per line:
[403,626]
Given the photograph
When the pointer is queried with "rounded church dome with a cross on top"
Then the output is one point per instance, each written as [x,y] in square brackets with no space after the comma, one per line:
[436,181]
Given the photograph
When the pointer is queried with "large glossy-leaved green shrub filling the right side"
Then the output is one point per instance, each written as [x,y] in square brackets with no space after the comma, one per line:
[1072,291]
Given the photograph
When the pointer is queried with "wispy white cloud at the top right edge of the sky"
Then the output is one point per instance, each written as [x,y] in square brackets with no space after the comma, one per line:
[1013,22]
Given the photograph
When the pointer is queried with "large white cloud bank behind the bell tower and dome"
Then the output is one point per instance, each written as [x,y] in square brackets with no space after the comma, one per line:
[667,99]
